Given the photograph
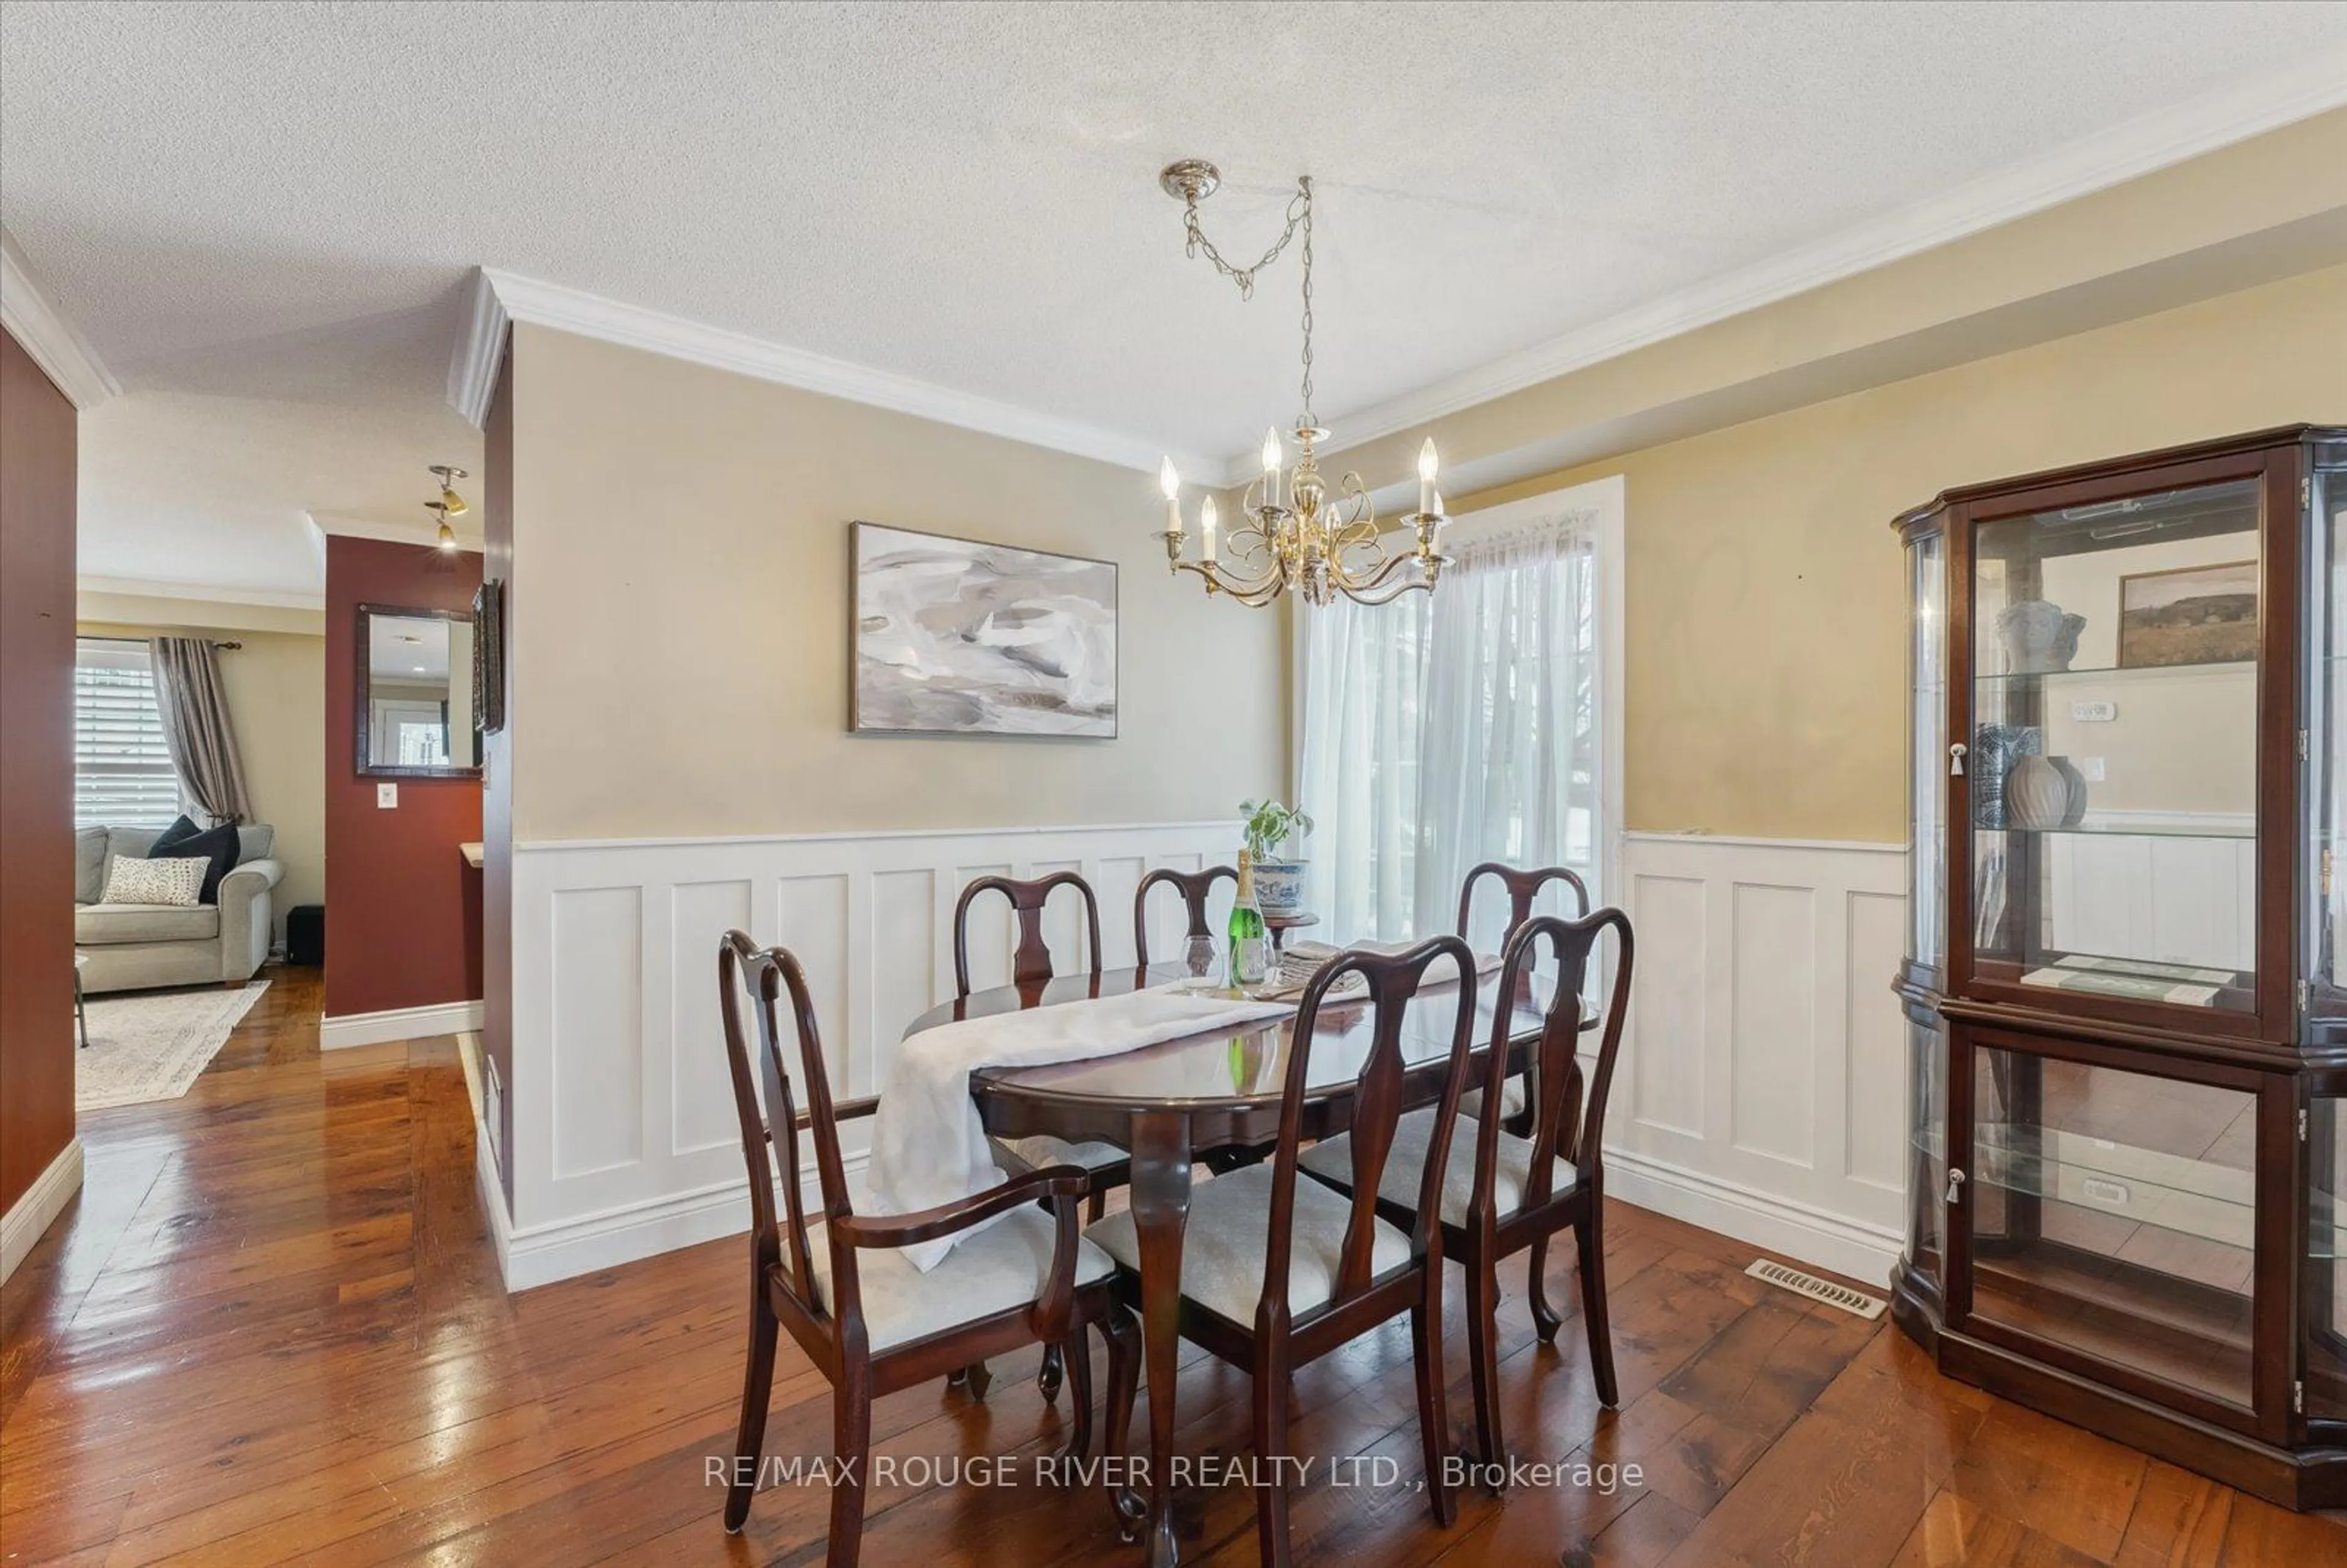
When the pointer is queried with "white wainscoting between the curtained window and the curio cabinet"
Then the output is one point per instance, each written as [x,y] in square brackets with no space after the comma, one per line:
[1766,1055]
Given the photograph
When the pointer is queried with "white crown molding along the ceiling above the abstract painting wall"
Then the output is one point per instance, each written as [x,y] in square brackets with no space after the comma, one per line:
[506,297]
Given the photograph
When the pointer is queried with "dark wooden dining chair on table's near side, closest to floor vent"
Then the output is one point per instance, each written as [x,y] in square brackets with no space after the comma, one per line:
[1503,1194]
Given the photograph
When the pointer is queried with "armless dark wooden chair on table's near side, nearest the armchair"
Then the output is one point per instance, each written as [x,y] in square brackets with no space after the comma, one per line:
[1278,1271]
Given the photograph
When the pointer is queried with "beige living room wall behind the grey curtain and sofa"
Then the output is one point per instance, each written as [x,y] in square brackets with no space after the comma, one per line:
[278,703]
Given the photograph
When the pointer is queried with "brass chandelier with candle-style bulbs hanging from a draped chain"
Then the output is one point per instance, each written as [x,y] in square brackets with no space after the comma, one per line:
[1297,536]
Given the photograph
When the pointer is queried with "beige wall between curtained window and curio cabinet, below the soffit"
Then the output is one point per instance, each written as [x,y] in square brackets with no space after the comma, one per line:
[1766,609]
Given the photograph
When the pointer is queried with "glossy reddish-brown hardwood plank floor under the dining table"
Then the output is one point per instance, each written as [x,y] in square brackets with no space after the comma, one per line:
[271,1332]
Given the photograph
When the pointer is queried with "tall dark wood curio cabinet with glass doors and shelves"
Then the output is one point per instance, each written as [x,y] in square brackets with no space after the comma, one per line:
[2128,952]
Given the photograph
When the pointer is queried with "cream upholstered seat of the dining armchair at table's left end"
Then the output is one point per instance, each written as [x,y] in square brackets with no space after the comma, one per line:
[992,1271]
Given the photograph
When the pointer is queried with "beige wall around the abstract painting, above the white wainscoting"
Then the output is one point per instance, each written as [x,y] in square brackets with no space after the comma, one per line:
[682,647]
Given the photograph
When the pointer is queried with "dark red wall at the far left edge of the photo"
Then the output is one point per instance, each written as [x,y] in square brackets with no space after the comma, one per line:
[36,771]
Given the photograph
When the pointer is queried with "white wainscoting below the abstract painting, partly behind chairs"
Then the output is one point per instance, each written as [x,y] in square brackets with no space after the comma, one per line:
[625,1135]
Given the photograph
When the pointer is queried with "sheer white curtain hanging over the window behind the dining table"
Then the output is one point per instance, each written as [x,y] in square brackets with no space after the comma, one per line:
[1456,729]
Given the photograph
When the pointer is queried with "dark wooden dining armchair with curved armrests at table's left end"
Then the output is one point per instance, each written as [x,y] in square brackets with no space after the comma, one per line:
[853,1304]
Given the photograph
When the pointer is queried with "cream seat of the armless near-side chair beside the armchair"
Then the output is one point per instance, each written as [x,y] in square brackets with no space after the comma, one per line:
[1224,1248]
